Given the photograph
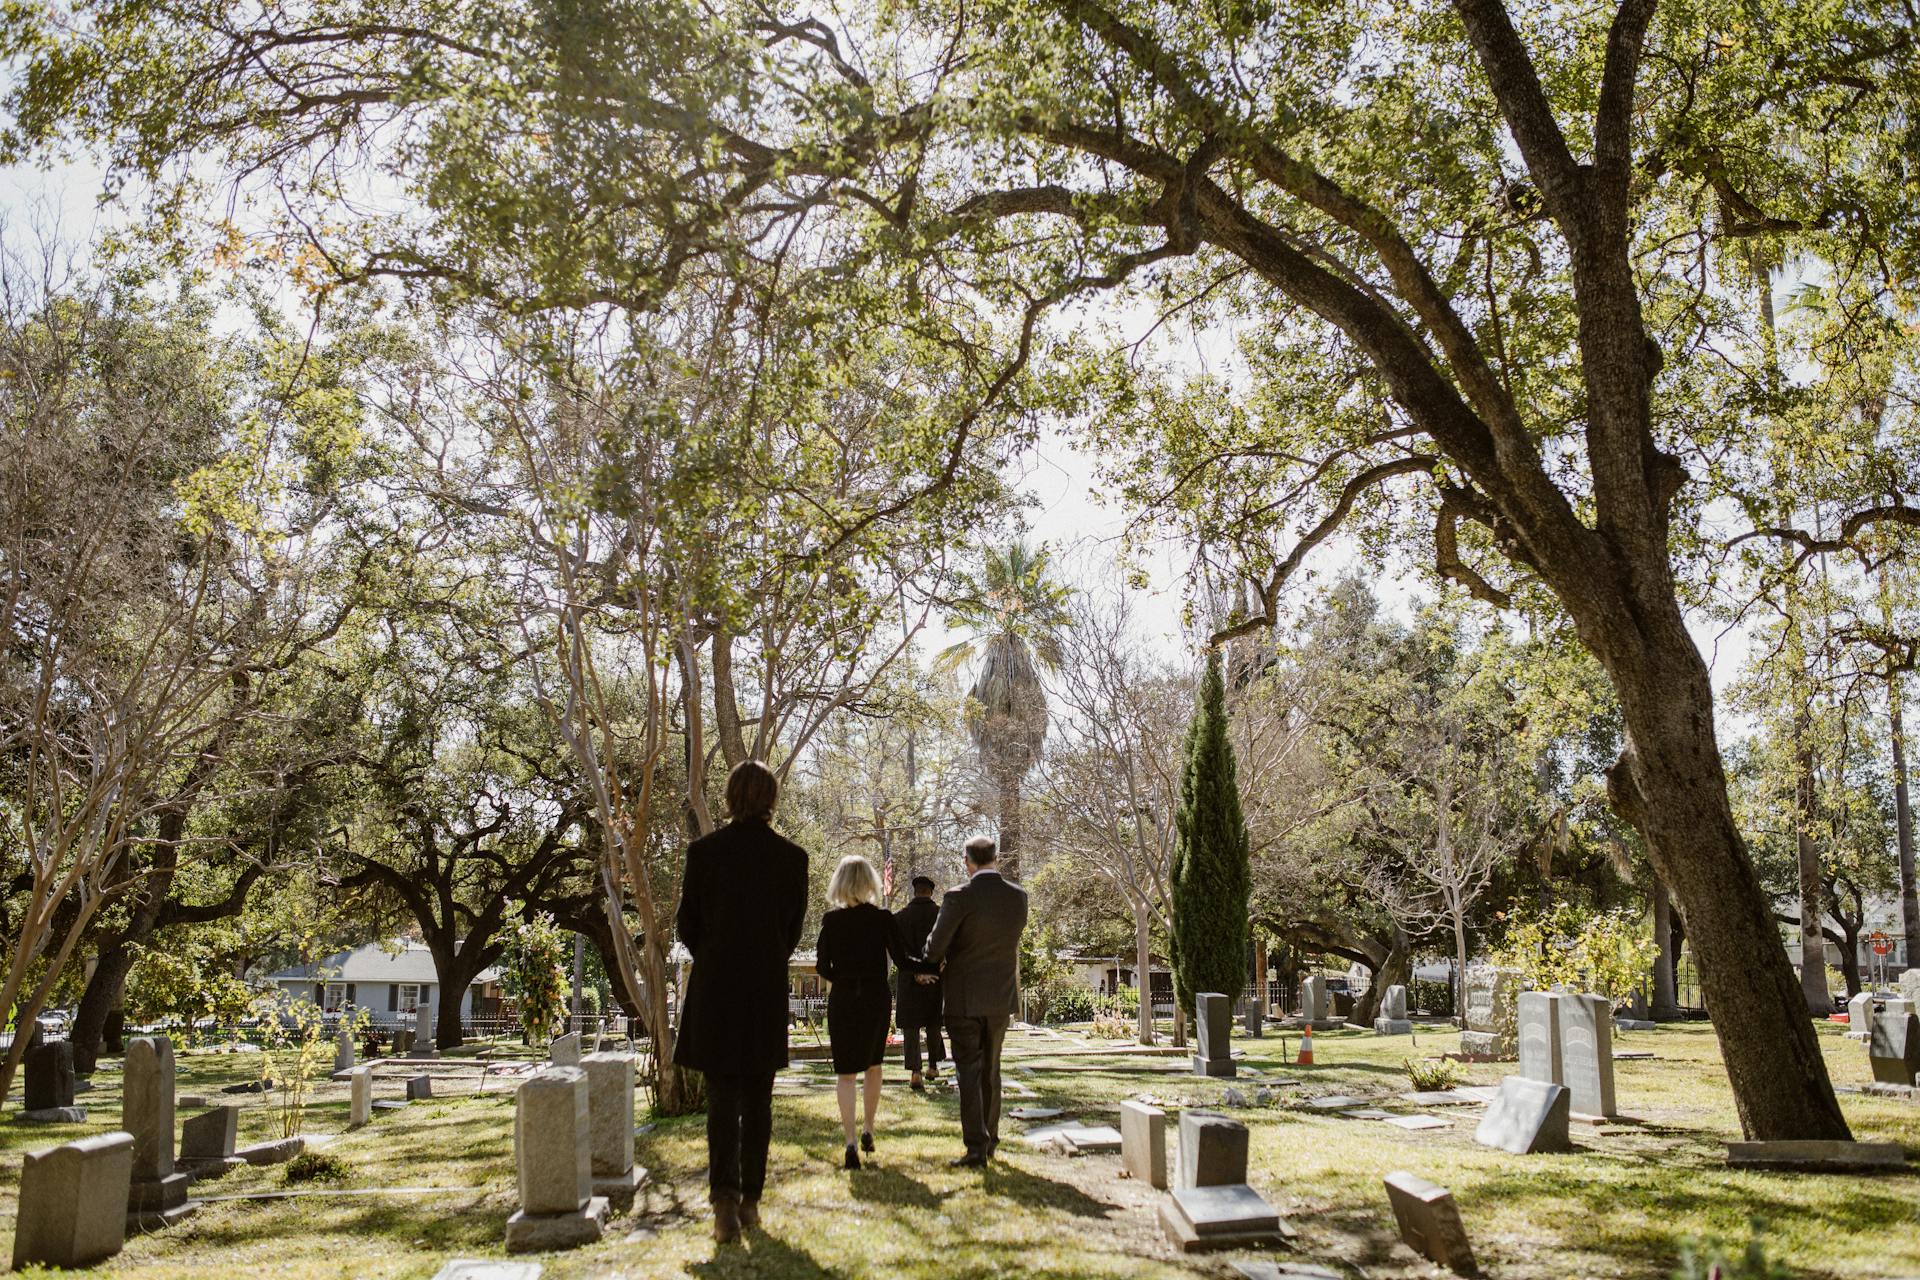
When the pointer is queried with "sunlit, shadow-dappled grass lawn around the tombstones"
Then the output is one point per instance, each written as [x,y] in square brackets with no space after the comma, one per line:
[1620,1206]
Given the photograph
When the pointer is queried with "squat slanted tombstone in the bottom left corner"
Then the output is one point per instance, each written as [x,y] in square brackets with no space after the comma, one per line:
[74,1202]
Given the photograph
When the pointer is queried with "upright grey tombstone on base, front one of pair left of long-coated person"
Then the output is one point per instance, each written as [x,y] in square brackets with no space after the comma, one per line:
[556,1164]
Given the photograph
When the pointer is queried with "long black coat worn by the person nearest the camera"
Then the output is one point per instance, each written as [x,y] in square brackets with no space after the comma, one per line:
[742,909]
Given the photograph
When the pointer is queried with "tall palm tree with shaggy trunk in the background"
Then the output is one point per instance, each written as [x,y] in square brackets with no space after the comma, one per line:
[1017,613]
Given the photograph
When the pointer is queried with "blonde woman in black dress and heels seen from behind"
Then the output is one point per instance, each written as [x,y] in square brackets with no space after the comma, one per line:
[855,941]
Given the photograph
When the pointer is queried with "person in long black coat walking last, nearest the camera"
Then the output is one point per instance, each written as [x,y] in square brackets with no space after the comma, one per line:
[742,911]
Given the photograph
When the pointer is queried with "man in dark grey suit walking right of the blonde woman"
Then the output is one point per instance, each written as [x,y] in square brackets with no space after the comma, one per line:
[978,936]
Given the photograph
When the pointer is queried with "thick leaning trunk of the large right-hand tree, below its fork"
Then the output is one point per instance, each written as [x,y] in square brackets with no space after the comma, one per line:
[1671,784]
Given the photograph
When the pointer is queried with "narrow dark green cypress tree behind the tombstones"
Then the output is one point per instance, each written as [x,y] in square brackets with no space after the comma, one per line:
[1212,880]
